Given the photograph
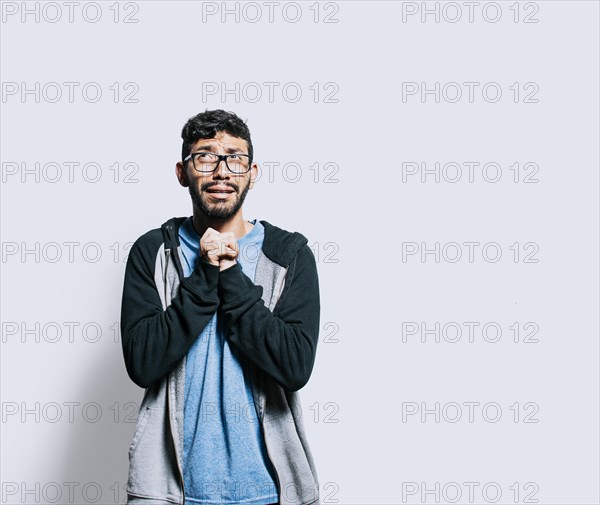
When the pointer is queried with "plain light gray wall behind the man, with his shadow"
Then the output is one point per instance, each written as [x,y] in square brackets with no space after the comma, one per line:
[365,380]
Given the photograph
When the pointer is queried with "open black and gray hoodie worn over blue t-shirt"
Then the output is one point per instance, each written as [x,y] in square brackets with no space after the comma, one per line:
[273,321]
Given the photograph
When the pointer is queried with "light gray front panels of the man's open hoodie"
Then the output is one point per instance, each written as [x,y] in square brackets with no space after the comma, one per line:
[156,451]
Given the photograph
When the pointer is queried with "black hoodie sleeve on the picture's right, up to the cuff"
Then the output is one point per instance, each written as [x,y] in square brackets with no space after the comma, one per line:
[282,343]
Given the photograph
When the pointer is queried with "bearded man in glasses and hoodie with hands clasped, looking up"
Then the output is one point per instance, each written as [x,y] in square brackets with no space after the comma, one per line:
[220,322]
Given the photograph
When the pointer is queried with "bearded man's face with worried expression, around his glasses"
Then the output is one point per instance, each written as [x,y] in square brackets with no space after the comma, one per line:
[221,193]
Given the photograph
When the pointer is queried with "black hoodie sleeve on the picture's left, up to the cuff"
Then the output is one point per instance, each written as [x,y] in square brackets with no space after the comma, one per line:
[154,339]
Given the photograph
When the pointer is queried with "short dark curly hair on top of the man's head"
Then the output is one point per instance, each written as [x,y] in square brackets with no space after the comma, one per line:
[205,125]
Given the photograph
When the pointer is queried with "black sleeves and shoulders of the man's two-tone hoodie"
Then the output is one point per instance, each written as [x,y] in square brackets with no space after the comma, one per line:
[281,343]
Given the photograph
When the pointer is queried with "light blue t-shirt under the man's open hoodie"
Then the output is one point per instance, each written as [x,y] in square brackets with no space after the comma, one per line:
[224,455]
